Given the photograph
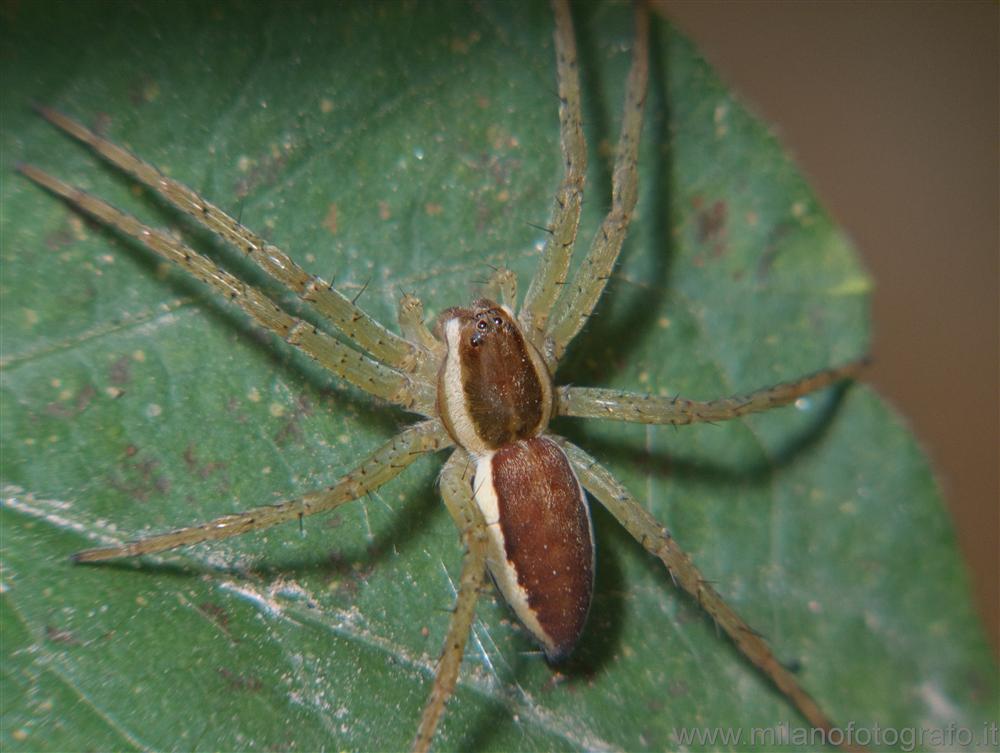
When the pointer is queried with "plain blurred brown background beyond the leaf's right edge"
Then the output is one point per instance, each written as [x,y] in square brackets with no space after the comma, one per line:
[891,110]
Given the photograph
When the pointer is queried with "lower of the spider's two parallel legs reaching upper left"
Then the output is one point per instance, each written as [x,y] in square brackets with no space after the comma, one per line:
[346,362]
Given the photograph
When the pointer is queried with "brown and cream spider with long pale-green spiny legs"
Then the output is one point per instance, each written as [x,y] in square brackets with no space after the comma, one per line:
[482,381]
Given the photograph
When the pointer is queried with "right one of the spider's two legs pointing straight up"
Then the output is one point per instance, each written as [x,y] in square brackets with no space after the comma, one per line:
[596,268]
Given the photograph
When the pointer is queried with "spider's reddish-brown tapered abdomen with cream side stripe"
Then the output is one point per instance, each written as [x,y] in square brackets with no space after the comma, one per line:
[541,551]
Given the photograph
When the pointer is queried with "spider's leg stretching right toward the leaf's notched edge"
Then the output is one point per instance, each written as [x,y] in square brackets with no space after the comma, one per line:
[590,402]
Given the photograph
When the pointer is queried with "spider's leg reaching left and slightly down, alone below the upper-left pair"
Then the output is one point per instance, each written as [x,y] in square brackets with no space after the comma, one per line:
[387,462]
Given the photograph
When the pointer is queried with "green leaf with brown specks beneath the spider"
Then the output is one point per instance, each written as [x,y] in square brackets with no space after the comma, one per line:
[406,147]
